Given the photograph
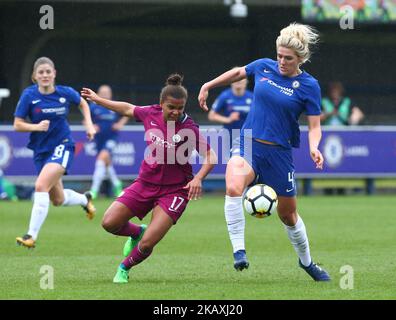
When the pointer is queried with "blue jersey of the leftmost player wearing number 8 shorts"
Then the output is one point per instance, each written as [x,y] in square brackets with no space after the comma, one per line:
[53,107]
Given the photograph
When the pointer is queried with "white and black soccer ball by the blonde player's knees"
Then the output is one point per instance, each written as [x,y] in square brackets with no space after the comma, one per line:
[260,201]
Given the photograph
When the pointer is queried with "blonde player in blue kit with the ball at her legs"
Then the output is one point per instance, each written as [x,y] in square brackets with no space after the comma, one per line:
[282,92]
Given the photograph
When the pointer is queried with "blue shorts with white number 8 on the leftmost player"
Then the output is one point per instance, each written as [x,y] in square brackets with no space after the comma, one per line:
[62,154]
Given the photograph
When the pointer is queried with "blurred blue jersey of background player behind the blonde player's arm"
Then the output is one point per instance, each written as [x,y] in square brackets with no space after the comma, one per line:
[227,103]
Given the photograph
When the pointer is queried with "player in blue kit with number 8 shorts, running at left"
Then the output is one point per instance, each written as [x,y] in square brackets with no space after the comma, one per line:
[47,106]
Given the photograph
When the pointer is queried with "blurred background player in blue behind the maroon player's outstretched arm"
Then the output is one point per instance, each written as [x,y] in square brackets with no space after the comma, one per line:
[107,125]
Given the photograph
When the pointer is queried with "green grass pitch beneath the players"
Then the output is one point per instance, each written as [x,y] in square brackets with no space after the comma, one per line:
[194,260]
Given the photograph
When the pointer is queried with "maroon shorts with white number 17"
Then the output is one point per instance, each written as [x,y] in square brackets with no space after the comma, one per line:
[141,197]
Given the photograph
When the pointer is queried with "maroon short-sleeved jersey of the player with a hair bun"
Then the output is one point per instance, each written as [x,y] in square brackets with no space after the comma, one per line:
[170,146]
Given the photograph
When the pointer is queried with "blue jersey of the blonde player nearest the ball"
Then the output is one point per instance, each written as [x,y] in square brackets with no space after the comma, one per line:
[279,102]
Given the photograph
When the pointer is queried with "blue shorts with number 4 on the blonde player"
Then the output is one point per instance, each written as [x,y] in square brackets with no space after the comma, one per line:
[272,165]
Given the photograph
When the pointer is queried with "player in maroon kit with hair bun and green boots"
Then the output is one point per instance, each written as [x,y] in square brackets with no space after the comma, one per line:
[165,183]
